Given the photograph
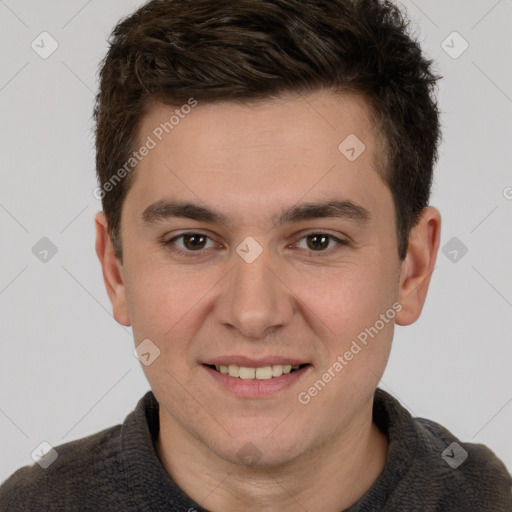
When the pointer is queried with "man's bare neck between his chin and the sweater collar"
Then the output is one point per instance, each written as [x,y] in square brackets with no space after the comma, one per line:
[330,477]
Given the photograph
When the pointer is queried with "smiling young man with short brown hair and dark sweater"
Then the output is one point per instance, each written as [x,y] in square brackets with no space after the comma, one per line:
[265,170]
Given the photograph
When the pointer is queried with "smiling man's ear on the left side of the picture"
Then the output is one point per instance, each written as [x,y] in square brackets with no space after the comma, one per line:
[112,270]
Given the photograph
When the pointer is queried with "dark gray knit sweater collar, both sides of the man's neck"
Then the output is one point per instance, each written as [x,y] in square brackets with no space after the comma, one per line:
[153,489]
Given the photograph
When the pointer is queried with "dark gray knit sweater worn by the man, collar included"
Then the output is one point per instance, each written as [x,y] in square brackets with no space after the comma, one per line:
[118,469]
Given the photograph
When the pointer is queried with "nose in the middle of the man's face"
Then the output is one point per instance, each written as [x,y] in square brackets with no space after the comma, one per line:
[255,300]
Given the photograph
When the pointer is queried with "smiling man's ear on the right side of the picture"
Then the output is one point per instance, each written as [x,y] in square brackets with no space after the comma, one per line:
[418,265]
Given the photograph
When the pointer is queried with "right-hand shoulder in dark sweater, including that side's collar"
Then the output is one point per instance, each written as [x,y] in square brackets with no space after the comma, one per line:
[429,468]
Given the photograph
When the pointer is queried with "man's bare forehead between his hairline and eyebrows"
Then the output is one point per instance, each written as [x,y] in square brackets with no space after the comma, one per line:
[261,153]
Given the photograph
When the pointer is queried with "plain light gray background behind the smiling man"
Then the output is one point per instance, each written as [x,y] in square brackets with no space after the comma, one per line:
[67,369]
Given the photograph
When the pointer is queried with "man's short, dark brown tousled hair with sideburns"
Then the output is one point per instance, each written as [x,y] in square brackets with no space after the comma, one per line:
[212,50]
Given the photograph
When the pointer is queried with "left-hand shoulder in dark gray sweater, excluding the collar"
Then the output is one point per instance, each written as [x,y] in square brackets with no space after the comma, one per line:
[82,467]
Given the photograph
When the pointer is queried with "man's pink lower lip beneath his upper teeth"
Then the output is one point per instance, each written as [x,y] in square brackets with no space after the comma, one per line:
[254,388]
